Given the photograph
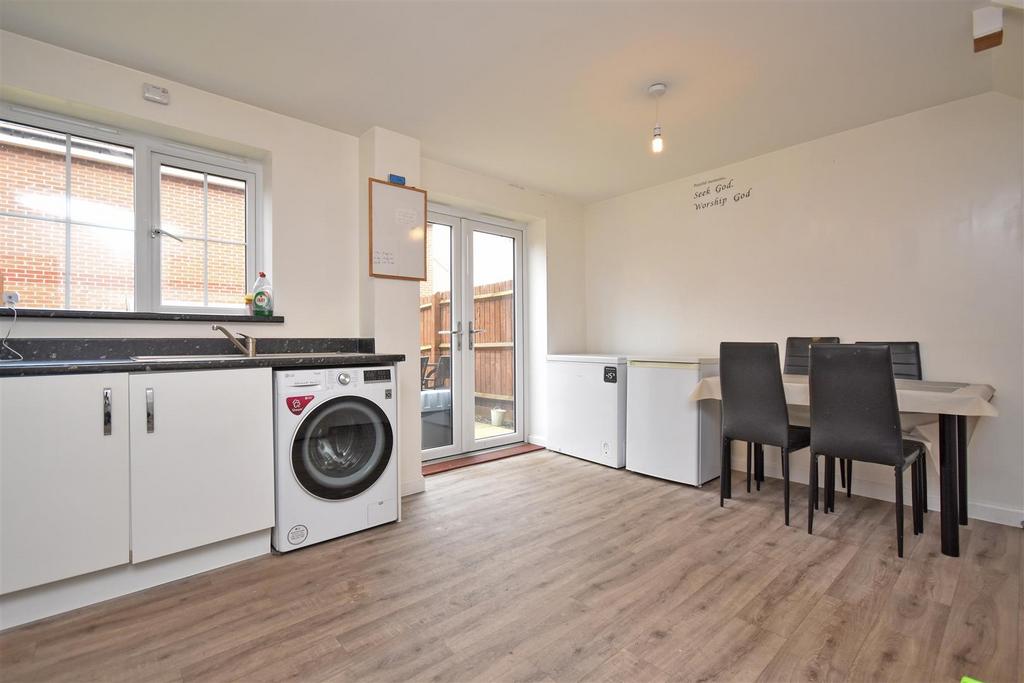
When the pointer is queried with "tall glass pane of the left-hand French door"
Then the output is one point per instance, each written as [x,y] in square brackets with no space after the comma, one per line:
[438,401]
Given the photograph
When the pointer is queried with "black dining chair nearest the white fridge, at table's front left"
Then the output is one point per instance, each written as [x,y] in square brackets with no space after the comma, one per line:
[754,409]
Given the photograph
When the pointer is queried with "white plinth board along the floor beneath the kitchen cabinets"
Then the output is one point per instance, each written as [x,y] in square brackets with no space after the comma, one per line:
[42,602]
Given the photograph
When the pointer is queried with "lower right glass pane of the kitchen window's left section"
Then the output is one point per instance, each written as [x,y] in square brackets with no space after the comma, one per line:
[103,268]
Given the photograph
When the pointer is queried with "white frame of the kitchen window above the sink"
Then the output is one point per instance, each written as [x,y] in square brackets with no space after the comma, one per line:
[150,152]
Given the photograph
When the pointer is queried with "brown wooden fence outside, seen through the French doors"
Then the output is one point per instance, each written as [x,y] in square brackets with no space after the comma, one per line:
[494,313]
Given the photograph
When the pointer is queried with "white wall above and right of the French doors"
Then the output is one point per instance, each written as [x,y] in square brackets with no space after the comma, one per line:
[554,269]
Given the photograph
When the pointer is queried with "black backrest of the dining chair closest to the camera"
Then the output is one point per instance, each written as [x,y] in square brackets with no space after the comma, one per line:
[855,413]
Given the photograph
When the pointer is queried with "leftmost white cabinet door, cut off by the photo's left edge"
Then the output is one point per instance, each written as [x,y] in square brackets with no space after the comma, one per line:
[64,478]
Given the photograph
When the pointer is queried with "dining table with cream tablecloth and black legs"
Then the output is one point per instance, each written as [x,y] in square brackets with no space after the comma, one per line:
[956,407]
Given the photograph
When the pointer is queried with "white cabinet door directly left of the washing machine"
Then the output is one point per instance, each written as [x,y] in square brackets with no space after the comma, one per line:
[202,458]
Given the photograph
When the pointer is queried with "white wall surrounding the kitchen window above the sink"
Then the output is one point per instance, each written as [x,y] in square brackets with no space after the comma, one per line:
[312,182]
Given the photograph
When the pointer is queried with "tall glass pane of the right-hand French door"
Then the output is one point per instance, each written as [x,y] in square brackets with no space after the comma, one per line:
[494,337]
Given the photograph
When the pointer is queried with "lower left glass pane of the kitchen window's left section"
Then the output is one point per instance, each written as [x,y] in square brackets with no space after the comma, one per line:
[32,257]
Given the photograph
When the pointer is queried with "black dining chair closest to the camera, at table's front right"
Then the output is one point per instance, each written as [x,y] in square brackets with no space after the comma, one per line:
[856,416]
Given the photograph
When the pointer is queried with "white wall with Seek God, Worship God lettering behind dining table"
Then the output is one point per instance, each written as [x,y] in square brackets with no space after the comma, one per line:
[909,229]
